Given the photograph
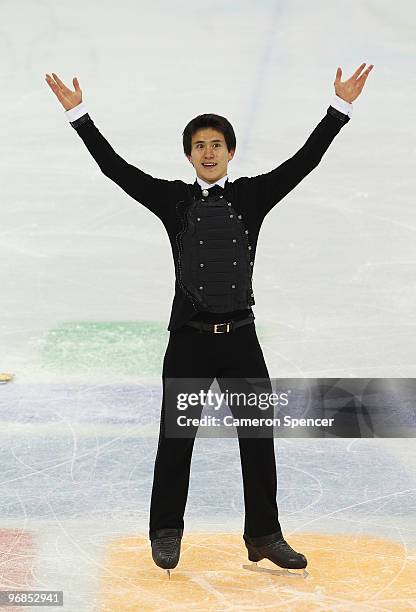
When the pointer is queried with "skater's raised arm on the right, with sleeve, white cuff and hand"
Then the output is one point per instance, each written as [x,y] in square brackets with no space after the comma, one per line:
[272,186]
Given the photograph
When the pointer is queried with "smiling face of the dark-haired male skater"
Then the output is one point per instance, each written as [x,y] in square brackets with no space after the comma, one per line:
[209,155]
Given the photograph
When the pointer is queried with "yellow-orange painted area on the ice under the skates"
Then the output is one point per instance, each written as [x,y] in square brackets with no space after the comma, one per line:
[345,572]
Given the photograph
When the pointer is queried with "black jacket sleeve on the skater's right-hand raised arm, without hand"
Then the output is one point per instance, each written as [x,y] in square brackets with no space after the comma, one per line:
[271,187]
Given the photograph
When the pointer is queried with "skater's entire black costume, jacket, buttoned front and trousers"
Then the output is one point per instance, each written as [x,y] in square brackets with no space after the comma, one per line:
[213,238]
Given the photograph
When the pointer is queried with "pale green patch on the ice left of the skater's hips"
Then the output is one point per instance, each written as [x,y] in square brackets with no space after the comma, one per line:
[115,347]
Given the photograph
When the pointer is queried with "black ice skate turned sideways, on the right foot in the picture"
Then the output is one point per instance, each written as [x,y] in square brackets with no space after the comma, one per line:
[275,548]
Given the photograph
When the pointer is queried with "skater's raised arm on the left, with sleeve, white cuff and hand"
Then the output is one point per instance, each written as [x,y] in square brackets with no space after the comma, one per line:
[154,193]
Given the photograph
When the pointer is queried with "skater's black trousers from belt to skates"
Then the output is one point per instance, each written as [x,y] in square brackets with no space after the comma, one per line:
[191,353]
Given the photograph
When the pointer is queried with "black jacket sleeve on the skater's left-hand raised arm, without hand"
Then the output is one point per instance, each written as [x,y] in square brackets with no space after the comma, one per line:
[153,193]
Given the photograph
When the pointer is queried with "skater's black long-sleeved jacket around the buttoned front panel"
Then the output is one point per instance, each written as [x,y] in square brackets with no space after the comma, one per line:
[253,196]
